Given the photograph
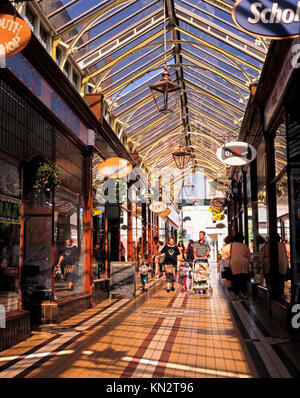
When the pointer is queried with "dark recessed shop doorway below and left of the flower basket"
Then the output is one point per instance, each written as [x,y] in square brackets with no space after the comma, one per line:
[37,276]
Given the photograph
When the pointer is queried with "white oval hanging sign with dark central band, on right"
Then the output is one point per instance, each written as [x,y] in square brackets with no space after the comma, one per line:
[236,153]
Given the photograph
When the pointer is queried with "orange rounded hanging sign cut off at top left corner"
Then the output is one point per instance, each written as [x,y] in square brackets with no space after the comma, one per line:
[14,35]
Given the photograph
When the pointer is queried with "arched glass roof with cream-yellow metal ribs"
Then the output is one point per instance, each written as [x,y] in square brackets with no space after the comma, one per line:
[121,47]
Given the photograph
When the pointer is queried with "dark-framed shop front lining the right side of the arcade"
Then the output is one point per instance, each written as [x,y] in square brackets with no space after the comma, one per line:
[271,125]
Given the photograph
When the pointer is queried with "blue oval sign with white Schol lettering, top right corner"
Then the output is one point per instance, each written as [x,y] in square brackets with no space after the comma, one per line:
[275,20]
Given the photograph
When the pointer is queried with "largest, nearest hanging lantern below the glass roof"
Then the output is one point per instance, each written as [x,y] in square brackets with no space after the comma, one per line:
[163,93]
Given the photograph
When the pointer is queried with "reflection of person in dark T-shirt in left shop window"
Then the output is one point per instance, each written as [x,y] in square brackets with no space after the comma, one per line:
[68,259]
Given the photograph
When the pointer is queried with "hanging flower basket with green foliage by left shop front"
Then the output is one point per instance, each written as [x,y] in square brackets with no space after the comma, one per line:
[46,178]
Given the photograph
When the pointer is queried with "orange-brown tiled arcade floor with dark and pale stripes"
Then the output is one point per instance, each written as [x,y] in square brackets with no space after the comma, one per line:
[159,334]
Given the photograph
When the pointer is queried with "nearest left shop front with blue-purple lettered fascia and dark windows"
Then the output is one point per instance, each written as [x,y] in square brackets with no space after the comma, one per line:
[40,223]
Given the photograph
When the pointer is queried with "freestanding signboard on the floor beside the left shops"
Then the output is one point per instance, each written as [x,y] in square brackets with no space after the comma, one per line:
[122,278]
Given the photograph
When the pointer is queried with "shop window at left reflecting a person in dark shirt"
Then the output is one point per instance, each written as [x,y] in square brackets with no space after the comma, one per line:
[70,245]
